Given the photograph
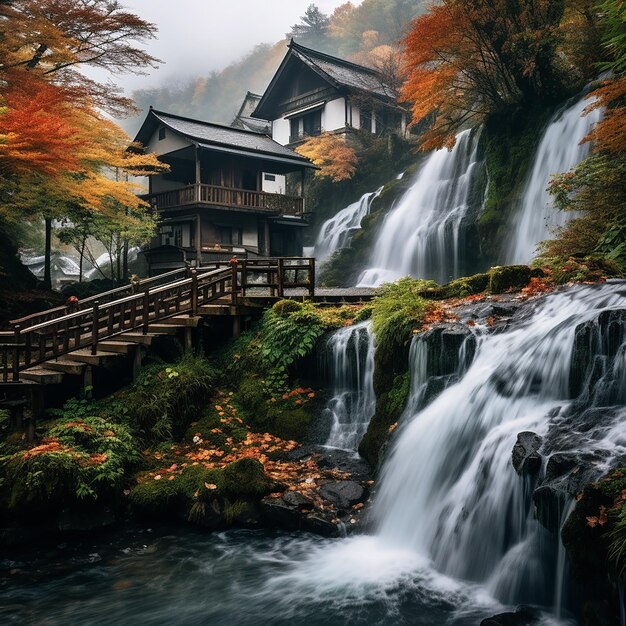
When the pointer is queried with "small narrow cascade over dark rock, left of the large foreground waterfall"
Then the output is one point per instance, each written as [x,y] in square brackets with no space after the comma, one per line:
[351,368]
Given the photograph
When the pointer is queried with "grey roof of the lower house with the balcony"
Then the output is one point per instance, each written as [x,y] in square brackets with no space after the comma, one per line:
[222,138]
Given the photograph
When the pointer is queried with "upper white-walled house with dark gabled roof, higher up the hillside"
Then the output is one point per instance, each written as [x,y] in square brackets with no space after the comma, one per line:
[313,92]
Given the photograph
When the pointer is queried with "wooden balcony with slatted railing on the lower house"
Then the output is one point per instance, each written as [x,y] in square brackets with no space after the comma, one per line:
[211,195]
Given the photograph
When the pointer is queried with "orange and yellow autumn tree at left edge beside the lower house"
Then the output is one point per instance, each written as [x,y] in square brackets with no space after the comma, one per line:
[57,149]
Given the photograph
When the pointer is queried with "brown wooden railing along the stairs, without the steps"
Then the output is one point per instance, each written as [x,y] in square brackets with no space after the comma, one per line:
[50,337]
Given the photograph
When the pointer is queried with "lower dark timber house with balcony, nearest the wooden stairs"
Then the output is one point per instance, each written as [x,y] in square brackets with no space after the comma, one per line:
[229,191]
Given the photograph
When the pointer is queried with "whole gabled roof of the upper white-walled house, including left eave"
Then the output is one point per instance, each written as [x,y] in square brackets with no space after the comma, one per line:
[337,72]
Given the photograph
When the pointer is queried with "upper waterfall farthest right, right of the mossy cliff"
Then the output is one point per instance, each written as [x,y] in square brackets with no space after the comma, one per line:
[559,151]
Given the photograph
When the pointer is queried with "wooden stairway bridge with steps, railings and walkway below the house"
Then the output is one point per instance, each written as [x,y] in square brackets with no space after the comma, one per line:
[44,348]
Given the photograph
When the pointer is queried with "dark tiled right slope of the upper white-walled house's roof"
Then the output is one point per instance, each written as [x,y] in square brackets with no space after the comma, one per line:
[342,72]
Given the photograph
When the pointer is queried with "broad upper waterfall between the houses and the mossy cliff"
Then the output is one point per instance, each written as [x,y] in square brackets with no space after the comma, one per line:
[422,235]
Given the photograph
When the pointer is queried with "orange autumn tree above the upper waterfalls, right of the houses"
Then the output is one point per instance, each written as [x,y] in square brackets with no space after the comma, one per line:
[465,60]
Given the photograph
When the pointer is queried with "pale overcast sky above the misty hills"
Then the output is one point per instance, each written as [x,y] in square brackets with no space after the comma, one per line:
[198,36]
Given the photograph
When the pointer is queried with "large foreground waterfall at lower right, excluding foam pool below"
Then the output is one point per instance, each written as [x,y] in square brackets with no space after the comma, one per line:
[448,490]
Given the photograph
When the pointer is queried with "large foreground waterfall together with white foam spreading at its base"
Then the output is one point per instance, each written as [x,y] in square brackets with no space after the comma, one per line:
[451,516]
